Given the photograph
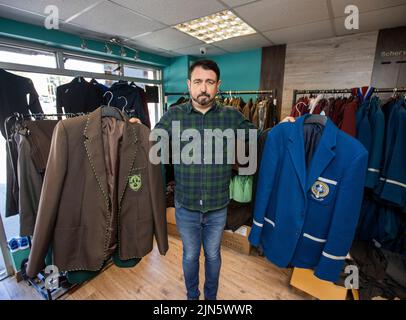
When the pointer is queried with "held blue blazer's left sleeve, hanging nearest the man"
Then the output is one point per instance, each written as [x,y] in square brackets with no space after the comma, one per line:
[266,181]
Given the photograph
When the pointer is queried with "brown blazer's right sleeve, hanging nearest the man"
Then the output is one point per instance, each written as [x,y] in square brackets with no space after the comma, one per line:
[157,195]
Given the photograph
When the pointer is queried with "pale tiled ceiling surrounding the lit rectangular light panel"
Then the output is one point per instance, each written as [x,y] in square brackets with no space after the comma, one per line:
[148,24]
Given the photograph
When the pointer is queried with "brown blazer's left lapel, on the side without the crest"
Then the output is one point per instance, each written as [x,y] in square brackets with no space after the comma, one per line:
[93,142]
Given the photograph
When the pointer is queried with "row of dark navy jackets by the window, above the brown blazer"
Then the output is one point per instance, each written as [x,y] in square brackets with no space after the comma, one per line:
[80,96]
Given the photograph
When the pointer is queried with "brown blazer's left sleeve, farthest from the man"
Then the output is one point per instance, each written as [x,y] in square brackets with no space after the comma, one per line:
[49,200]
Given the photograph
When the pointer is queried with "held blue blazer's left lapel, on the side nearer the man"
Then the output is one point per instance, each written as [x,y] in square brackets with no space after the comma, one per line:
[296,151]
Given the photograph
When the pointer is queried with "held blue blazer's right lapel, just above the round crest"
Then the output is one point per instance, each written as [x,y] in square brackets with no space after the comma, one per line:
[324,153]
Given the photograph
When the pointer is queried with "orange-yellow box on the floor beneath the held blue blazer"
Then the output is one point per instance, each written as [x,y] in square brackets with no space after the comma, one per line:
[305,280]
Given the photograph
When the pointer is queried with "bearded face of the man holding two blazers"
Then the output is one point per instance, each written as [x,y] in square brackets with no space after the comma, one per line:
[203,86]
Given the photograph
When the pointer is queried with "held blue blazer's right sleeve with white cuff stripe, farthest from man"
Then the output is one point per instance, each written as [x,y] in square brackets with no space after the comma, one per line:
[344,221]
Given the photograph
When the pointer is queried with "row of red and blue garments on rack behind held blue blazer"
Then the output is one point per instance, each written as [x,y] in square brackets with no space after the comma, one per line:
[377,118]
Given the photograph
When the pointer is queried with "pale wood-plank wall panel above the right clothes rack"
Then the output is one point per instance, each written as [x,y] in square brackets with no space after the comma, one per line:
[341,62]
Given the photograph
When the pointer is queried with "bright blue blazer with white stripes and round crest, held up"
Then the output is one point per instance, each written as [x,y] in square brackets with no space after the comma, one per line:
[307,217]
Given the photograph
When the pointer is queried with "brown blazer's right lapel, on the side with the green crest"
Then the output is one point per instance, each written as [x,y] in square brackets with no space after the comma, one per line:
[127,158]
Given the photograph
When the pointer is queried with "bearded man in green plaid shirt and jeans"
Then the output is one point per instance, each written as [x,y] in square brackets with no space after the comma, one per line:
[202,190]
